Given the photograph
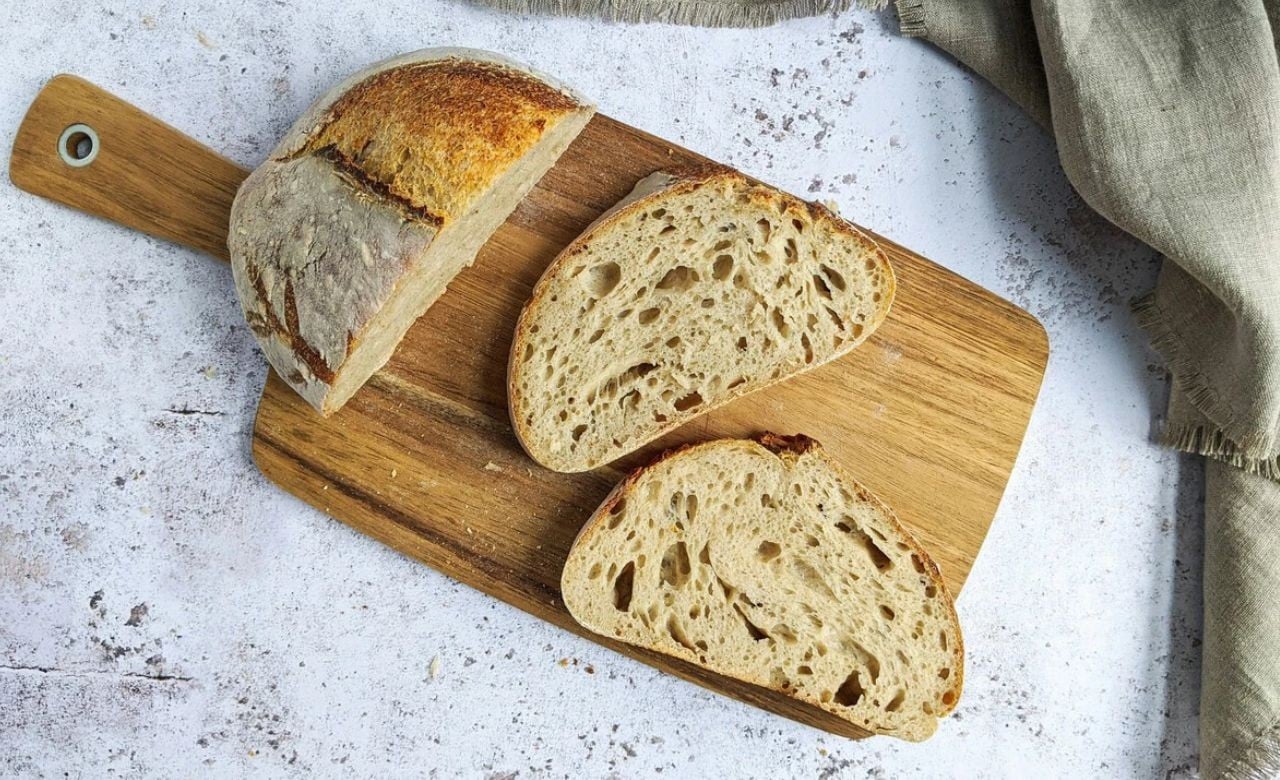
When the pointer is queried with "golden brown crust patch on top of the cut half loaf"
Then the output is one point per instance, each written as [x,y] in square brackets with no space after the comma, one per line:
[417,133]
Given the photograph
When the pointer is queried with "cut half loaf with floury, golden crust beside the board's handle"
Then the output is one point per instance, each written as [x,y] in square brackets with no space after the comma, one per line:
[378,197]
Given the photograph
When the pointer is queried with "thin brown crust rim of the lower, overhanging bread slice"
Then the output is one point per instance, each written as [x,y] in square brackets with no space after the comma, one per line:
[792,449]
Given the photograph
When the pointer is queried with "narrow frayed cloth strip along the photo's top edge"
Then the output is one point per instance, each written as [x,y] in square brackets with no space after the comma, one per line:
[701,13]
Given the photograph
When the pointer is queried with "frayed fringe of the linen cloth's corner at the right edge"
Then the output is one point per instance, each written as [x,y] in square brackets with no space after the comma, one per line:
[1212,441]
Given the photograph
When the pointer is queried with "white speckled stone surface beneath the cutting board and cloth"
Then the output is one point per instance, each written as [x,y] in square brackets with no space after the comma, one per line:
[164,612]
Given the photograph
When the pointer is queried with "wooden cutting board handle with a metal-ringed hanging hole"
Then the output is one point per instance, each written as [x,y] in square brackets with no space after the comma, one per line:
[85,148]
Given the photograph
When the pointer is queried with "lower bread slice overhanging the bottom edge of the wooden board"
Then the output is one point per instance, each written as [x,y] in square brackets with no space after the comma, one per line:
[765,563]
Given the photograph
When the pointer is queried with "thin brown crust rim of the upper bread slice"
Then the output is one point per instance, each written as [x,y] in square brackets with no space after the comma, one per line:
[648,193]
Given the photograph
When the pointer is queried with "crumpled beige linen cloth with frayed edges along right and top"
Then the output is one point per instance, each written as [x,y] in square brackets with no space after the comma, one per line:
[1168,121]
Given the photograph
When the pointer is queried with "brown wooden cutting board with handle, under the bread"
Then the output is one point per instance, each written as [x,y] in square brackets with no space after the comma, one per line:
[929,414]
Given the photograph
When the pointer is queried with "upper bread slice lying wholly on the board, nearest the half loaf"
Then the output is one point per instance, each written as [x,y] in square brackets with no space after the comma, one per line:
[701,288]
